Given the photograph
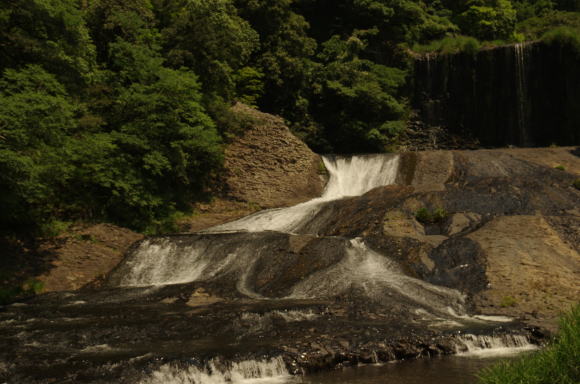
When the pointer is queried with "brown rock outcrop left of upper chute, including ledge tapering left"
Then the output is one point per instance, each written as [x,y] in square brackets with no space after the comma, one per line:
[265,167]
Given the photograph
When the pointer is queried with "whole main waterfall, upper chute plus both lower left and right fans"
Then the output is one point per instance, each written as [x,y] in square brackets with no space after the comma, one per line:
[234,250]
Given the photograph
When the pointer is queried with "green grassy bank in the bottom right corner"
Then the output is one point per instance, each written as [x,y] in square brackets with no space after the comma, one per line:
[558,363]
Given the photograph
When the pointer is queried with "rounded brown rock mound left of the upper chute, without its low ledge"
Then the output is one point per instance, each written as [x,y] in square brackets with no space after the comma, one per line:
[269,166]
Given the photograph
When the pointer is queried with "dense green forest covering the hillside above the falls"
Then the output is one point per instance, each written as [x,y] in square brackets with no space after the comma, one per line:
[119,110]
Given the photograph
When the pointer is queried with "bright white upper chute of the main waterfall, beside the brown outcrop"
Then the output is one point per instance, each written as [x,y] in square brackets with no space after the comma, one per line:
[352,176]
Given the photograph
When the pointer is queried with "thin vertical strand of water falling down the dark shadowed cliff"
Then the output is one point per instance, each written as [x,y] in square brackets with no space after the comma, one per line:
[521,52]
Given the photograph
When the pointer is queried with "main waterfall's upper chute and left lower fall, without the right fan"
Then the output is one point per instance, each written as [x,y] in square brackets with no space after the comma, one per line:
[168,260]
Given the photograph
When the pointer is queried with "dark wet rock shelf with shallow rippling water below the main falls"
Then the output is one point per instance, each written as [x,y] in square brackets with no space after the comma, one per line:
[124,335]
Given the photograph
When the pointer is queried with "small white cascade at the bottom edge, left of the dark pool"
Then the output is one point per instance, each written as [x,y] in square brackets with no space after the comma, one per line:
[244,372]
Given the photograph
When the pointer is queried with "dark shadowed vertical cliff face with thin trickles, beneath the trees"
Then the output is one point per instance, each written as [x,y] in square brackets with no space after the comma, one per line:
[524,94]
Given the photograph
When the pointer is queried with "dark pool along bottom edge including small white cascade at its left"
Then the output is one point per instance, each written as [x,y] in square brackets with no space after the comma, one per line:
[459,369]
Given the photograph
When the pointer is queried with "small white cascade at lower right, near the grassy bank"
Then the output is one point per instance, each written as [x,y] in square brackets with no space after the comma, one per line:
[482,345]
